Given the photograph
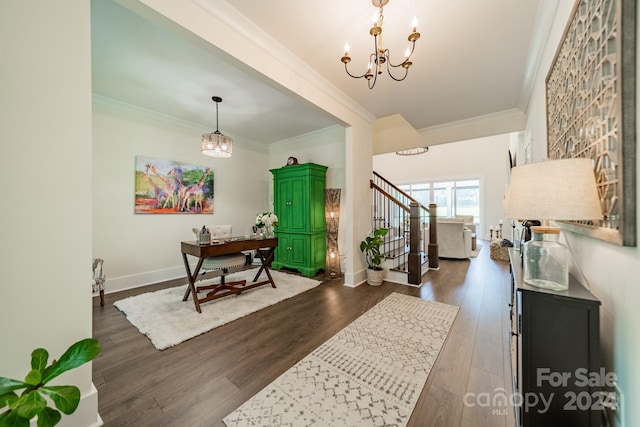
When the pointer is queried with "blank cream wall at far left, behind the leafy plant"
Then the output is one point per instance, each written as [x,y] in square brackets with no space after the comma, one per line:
[45,129]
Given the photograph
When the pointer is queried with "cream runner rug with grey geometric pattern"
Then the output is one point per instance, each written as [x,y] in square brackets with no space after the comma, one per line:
[369,374]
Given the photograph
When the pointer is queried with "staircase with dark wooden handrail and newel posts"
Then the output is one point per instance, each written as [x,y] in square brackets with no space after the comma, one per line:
[408,222]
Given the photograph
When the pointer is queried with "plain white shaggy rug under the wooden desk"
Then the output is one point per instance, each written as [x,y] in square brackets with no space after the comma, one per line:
[167,320]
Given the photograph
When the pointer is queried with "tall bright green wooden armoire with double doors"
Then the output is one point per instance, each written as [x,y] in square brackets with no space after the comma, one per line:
[298,201]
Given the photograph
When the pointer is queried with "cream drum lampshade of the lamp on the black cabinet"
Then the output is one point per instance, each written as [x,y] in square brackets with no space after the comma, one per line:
[562,189]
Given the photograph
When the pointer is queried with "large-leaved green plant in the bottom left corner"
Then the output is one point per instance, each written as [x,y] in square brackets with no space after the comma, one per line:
[19,409]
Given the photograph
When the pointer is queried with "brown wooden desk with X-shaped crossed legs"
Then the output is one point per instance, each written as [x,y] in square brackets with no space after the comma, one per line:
[224,247]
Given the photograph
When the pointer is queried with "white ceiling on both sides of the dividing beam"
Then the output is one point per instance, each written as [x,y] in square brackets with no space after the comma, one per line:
[474,58]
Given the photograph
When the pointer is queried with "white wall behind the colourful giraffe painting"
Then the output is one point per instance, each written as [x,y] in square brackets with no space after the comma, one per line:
[140,249]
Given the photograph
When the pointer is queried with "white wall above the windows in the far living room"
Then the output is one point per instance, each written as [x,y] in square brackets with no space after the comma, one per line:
[482,158]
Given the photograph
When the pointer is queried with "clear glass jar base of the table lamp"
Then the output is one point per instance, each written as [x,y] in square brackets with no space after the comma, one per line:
[546,260]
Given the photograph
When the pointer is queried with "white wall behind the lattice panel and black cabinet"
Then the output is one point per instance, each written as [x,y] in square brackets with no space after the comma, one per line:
[611,270]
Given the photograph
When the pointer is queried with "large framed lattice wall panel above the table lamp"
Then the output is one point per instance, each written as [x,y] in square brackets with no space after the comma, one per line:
[591,111]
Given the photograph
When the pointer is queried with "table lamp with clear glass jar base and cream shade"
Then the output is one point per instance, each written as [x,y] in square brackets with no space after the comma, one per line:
[551,190]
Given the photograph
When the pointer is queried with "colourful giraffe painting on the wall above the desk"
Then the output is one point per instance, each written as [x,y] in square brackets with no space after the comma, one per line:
[170,187]
